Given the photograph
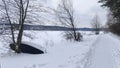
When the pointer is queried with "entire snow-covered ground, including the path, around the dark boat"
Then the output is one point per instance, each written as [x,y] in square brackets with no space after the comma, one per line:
[95,51]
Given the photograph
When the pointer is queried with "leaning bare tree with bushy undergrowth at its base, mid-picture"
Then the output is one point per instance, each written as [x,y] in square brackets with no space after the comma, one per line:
[65,14]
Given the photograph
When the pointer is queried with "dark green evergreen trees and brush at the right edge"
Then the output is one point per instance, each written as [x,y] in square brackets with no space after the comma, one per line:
[113,22]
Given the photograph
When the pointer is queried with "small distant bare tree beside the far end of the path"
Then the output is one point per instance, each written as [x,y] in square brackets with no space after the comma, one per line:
[96,24]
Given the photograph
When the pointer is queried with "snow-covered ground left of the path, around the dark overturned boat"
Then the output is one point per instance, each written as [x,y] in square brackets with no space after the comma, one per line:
[59,52]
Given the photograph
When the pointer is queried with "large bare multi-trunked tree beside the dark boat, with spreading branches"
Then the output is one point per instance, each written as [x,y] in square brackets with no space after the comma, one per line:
[21,12]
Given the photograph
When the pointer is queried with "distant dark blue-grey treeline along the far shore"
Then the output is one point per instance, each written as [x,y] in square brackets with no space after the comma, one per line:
[46,28]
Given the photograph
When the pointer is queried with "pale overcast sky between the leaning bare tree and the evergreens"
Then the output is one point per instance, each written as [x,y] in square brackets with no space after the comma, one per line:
[85,10]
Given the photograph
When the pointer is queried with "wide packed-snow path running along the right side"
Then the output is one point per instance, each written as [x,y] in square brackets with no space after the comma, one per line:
[102,55]
